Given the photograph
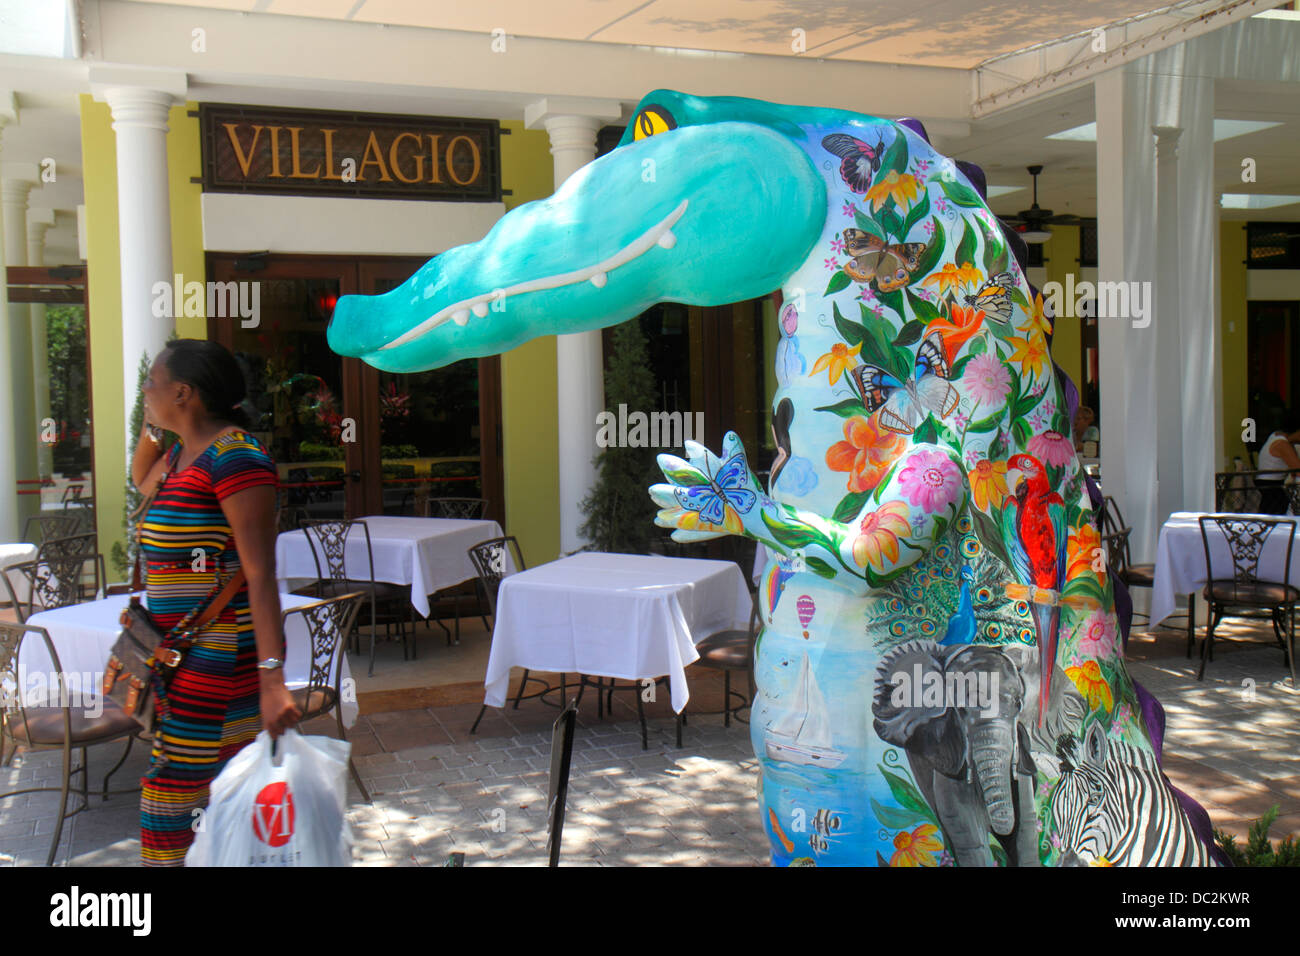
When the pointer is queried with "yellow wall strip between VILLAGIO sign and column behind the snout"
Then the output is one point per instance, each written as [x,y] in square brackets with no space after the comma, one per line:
[528,379]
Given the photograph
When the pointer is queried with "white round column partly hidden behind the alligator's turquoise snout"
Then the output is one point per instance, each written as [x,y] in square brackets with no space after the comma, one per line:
[580,369]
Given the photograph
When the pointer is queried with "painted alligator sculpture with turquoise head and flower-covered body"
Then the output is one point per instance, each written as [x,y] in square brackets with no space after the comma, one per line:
[941,674]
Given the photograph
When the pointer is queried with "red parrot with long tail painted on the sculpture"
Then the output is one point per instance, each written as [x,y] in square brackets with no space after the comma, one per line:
[1035,537]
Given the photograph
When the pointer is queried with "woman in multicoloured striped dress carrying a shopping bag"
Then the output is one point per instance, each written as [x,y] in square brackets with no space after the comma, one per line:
[214,514]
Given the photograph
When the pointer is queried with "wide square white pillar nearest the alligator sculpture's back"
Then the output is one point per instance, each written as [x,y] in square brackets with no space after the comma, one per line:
[1126,253]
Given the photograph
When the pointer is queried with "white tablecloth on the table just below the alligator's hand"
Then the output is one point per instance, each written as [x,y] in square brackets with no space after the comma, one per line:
[614,616]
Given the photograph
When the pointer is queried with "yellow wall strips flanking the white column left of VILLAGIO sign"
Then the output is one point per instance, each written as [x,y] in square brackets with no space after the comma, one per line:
[105,288]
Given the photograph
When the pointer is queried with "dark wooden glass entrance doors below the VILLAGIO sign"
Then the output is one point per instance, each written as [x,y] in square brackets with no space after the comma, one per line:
[350,440]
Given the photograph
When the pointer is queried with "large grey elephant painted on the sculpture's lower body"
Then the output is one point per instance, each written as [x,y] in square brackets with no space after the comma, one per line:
[960,713]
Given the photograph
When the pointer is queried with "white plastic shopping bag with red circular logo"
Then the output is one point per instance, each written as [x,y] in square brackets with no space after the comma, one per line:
[288,810]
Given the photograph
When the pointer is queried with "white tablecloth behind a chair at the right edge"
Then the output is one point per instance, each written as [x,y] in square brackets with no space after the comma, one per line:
[1181,560]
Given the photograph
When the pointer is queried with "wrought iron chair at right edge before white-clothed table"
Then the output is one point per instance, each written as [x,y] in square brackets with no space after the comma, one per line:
[1246,539]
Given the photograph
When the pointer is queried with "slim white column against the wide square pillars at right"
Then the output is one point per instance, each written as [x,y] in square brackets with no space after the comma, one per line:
[1168,322]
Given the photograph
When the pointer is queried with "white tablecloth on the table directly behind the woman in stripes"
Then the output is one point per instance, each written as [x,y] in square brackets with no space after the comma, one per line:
[84,637]
